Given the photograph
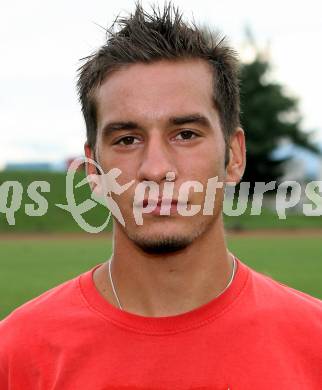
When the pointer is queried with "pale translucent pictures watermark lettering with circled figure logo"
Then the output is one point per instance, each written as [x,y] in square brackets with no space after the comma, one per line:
[148,199]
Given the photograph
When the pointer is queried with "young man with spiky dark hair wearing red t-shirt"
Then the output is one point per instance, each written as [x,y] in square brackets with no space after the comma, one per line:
[173,309]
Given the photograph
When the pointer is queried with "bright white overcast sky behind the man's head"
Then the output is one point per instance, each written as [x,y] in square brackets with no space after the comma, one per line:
[41,43]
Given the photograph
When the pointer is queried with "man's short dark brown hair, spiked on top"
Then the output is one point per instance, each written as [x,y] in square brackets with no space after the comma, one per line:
[162,35]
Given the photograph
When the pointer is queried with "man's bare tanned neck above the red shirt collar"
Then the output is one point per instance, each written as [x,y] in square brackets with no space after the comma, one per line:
[167,284]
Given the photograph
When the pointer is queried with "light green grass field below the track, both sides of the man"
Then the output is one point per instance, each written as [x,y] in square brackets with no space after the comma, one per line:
[29,267]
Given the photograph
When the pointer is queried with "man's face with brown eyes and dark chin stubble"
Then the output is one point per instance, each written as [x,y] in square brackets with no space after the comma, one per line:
[154,119]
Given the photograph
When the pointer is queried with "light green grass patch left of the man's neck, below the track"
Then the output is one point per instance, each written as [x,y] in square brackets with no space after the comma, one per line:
[30,267]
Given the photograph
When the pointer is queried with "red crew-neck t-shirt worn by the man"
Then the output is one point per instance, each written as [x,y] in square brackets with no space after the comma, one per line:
[259,334]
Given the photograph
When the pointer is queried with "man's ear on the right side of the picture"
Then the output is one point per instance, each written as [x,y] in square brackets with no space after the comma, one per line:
[237,157]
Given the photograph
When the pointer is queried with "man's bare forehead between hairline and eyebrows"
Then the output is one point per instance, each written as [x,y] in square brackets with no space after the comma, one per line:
[155,90]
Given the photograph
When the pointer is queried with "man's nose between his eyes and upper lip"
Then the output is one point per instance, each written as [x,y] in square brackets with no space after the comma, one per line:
[157,160]
